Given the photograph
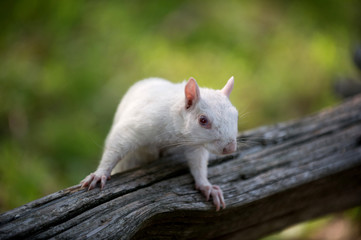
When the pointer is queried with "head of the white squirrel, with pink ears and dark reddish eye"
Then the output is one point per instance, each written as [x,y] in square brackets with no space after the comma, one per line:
[210,118]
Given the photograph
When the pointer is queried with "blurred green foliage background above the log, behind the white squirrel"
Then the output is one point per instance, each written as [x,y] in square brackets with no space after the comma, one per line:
[64,65]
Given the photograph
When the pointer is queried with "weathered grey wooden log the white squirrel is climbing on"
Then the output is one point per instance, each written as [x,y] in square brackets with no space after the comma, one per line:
[281,175]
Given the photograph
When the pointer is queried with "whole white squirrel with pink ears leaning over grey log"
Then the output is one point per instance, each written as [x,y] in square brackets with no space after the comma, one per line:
[155,114]
